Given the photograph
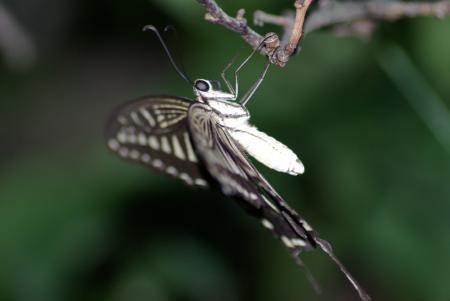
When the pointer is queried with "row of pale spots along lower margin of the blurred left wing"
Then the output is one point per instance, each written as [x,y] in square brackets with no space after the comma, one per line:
[156,163]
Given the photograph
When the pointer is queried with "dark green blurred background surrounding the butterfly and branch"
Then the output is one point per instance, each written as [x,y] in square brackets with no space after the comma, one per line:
[368,117]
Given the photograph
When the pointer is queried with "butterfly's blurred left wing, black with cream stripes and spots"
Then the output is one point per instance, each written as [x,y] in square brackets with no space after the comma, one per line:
[153,131]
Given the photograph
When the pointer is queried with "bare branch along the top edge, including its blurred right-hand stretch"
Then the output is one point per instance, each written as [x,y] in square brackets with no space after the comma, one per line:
[331,14]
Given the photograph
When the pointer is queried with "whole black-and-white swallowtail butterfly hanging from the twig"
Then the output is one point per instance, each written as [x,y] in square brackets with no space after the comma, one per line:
[206,142]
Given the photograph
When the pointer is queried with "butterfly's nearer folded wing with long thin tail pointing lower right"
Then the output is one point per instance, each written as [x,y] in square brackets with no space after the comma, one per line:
[237,177]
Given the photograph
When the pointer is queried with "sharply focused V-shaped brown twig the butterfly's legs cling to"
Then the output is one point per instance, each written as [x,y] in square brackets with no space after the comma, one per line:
[278,55]
